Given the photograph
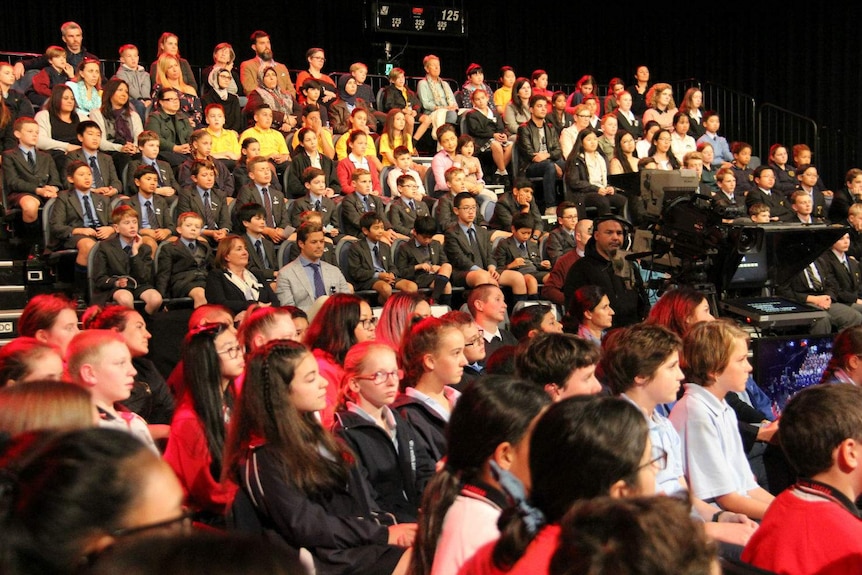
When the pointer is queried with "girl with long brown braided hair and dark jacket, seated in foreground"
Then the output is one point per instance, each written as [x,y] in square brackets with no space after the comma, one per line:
[300,481]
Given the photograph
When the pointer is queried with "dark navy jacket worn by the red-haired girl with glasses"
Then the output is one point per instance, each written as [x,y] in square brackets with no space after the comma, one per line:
[397,478]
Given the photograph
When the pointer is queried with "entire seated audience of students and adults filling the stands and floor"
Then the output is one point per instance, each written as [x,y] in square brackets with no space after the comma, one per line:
[496,439]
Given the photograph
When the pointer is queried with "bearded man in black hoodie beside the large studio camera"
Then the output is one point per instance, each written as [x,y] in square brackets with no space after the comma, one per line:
[604,265]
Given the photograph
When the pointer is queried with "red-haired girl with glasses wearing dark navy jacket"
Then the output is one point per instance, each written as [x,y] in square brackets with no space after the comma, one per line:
[386,446]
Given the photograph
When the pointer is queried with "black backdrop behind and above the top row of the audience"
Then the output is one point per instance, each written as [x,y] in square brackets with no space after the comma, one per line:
[807,61]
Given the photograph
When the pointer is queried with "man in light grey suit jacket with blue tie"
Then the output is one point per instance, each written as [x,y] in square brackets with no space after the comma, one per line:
[308,277]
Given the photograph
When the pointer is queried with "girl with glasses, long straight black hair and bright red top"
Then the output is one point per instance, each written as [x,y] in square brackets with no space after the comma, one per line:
[212,359]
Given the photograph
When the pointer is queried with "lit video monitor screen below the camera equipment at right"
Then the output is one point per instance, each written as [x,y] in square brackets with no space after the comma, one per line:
[784,365]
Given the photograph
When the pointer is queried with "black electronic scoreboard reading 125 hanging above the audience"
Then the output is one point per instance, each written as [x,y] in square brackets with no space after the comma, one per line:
[412,19]
